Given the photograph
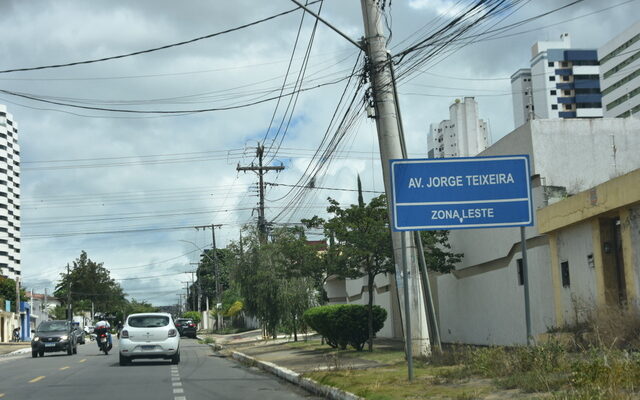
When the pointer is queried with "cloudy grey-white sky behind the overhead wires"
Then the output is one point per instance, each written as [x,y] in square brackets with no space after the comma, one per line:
[128,188]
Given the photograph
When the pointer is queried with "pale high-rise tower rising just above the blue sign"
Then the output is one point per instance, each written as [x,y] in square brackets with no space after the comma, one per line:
[462,135]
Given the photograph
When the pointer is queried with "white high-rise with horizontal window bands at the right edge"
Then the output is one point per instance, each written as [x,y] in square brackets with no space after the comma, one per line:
[620,73]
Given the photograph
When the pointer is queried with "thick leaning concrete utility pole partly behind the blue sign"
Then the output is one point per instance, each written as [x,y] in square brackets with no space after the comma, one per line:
[389,138]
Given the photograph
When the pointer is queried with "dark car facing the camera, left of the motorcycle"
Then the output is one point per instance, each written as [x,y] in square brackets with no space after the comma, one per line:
[51,336]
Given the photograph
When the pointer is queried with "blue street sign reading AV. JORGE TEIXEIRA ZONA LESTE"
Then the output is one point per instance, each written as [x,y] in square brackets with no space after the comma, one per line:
[461,193]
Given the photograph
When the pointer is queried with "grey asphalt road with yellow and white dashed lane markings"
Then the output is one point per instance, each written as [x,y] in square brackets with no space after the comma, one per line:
[90,375]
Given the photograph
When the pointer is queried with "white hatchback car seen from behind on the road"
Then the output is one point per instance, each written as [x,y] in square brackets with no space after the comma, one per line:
[149,335]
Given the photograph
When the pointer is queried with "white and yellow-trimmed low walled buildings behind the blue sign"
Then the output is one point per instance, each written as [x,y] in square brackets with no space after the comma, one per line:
[482,301]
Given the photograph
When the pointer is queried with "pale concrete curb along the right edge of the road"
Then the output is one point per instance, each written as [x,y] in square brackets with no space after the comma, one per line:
[288,375]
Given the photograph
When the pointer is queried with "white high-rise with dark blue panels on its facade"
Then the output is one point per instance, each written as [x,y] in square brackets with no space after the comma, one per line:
[563,83]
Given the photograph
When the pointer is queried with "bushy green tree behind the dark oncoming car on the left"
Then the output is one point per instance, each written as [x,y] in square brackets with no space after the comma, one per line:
[90,282]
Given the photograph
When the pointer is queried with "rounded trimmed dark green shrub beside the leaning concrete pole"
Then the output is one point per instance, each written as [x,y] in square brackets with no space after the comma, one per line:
[345,324]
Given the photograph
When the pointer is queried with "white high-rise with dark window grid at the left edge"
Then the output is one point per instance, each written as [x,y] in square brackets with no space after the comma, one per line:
[9,196]
